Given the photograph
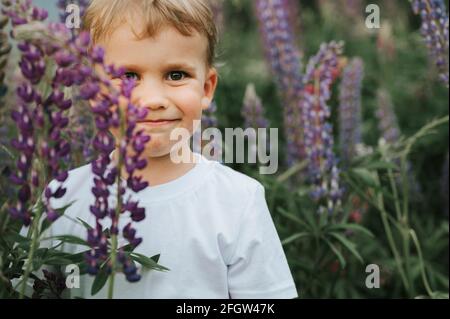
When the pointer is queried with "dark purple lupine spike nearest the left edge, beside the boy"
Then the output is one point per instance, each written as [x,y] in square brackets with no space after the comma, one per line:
[40,122]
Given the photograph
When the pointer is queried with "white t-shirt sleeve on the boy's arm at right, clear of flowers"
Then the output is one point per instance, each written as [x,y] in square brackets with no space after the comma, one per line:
[258,269]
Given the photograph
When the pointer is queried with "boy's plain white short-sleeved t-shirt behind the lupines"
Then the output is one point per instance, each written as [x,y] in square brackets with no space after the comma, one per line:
[211,227]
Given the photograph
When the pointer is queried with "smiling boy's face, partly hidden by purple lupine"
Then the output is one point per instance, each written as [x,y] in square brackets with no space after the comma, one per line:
[172,80]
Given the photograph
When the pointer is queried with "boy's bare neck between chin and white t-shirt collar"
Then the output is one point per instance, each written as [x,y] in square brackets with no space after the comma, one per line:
[161,170]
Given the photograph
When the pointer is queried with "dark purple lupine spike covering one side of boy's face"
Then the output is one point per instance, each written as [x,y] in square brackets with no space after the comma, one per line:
[131,148]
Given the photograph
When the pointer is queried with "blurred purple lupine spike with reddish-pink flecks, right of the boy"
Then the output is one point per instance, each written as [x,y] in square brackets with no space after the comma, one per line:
[321,71]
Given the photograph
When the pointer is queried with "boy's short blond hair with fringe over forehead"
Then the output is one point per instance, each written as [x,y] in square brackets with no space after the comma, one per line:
[103,16]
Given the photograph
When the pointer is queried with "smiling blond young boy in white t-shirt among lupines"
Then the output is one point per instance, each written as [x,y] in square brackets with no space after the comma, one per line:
[210,224]
